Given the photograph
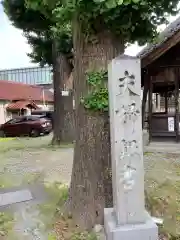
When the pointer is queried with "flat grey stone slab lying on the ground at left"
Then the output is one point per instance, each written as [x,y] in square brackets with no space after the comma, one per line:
[15,197]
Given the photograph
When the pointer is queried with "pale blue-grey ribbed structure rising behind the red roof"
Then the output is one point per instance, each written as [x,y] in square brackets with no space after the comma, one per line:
[32,75]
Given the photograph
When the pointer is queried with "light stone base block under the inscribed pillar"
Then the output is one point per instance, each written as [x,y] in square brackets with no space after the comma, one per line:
[146,231]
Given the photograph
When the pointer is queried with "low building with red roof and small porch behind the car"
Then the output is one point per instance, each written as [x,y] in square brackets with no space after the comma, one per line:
[19,99]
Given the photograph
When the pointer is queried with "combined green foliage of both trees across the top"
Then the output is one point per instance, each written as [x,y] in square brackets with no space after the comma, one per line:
[133,20]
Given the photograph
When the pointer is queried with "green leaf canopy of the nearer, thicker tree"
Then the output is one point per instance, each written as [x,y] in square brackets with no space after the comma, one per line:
[133,20]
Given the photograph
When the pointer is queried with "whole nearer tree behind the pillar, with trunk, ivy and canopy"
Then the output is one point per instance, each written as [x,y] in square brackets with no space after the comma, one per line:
[101,29]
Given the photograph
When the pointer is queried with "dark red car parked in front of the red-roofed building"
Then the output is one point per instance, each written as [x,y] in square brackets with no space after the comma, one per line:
[32,126]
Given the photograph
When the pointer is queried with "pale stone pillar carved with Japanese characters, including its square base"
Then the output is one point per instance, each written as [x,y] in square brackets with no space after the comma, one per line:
[128,219]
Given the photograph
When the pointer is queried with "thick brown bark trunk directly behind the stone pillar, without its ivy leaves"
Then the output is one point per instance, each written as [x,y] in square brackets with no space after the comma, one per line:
[91,185]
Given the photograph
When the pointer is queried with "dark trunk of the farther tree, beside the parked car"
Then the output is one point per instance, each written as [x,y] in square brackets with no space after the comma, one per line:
[61,72]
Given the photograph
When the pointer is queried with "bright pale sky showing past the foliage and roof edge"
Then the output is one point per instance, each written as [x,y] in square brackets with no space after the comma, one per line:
[14,47]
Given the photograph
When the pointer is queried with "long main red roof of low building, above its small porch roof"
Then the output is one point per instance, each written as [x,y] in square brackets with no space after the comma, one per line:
[19,91]
